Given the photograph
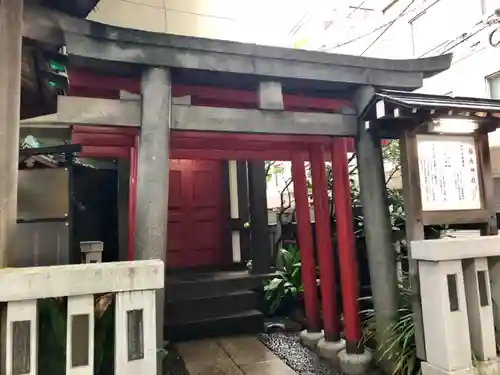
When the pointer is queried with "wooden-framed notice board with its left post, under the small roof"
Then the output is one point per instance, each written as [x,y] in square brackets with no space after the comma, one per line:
[446,180]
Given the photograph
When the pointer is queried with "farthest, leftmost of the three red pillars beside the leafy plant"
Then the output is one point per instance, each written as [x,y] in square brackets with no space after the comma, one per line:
[305,243]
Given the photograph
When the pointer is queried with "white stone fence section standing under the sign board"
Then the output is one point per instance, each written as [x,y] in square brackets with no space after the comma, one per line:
[456,303]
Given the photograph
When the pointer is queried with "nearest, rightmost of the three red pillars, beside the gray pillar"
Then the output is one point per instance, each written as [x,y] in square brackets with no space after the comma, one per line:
[346,246]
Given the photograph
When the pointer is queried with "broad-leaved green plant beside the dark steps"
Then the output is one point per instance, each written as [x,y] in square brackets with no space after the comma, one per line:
[286,287]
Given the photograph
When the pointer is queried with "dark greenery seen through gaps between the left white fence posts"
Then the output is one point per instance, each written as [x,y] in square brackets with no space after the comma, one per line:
[52,336]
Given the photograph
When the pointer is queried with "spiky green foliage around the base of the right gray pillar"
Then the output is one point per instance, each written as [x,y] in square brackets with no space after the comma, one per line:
[399,348]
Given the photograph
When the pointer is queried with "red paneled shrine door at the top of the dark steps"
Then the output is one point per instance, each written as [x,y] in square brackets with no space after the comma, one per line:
[195,214]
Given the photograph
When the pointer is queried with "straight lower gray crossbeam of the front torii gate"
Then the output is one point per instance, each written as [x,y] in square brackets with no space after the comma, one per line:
[127,113]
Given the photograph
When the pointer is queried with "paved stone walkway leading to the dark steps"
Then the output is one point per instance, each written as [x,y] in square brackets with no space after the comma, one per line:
[241,355]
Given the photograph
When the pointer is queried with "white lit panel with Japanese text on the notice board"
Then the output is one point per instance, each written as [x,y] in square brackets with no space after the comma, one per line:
[448,168]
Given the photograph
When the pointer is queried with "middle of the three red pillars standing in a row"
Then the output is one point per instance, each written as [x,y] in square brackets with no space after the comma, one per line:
[324,245]
